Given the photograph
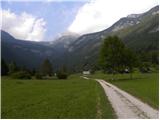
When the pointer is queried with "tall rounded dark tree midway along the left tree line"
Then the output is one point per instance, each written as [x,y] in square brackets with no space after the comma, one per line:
[46,68]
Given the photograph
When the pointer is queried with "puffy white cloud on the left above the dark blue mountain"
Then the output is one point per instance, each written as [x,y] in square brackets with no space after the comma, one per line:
[24,26]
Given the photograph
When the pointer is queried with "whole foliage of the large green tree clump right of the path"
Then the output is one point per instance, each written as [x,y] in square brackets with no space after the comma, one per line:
[115,57]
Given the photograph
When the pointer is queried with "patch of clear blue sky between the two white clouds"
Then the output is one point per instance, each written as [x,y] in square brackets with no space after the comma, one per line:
[57,15]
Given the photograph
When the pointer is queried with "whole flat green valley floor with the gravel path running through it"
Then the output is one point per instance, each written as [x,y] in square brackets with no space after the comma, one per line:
[77,97]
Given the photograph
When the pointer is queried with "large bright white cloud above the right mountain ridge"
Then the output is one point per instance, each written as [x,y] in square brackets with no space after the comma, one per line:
[97,15]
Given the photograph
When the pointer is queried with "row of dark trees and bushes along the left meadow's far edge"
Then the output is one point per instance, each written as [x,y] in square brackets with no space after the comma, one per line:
[44,71]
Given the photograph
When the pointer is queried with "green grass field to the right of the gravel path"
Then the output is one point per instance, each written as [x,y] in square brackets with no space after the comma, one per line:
[143,86]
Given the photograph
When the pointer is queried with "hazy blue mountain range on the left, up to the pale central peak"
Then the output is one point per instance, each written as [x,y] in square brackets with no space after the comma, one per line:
[31,54]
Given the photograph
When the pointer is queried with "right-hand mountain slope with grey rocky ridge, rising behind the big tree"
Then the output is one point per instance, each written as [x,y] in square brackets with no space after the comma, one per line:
[139,32]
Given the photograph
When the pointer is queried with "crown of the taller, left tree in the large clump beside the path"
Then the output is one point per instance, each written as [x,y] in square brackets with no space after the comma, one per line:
[110,53]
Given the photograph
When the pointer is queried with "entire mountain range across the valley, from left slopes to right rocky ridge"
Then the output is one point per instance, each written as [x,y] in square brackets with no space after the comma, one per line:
[139,32]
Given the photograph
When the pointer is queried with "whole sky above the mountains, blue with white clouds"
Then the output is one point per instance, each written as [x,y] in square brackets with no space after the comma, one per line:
[45,20]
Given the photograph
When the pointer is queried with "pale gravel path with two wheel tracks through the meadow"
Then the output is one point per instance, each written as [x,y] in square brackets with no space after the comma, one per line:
[126,105]
